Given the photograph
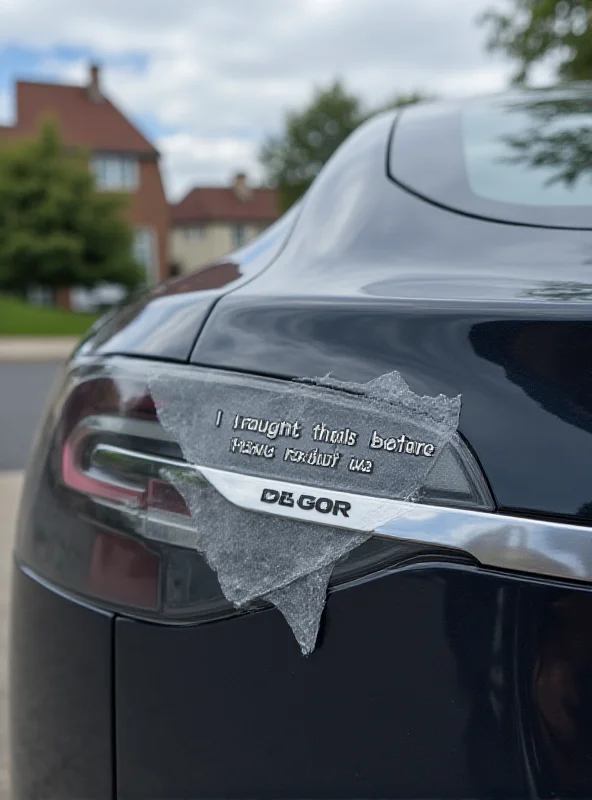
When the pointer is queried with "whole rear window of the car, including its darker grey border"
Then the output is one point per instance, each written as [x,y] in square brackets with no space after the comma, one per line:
[523,158]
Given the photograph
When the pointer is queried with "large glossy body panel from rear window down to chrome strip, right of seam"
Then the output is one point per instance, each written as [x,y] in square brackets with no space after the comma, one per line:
[499,313]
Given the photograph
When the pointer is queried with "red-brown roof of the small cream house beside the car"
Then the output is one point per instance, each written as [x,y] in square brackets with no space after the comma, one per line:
[216,204]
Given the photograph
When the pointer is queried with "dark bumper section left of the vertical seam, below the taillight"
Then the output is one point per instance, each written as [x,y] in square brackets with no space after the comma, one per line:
[60,695]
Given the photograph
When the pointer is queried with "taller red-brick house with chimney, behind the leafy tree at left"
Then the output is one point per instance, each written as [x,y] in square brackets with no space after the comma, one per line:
[122,159]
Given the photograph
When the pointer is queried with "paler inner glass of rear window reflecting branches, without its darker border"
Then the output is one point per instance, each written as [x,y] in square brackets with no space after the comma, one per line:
[530,153]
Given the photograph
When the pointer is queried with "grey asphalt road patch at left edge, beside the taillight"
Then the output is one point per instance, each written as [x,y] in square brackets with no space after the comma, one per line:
[24,389]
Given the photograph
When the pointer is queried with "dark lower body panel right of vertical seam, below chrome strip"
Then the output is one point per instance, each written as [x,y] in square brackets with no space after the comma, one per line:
[434,681]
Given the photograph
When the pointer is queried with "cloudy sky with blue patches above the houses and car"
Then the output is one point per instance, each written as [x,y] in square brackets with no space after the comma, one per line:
[209,80]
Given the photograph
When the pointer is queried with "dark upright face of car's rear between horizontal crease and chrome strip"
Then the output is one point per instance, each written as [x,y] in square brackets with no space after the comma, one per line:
[523,379]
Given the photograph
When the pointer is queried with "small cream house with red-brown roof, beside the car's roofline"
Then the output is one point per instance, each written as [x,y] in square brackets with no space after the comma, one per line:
[209,222]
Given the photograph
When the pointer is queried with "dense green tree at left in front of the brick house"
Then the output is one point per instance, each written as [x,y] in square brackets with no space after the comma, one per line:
[56,230]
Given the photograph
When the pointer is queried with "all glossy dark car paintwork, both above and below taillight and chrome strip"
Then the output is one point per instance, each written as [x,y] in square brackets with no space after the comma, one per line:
[433,680]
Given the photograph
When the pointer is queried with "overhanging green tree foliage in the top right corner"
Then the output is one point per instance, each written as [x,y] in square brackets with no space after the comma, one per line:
[534,30]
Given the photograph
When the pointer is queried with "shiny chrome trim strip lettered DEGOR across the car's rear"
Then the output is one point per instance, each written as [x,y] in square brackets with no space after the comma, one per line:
[520,544]
